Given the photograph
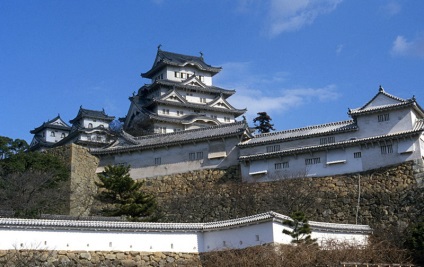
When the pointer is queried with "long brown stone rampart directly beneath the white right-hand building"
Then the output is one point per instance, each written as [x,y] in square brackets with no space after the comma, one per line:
[392,196]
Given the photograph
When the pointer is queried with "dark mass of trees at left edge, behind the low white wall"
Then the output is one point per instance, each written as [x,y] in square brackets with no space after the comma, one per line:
[31,183]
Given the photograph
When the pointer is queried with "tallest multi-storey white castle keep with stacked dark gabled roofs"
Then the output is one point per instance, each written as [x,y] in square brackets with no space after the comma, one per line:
[181,96]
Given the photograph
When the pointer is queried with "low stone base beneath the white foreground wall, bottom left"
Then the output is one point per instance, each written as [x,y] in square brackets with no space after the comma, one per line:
[96,258]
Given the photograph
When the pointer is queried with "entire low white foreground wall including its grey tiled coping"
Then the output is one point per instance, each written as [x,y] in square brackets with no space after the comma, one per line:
[244,232]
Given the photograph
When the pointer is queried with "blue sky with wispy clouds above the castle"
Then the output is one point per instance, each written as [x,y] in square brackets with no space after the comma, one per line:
[304,62]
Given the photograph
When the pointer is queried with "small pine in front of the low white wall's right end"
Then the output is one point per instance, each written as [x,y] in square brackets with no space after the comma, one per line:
[301,232]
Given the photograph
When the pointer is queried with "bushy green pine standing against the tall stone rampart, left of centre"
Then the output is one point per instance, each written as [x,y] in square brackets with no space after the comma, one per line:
[123,195]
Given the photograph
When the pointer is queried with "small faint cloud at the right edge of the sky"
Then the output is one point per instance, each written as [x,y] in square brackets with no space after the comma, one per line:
[403,48]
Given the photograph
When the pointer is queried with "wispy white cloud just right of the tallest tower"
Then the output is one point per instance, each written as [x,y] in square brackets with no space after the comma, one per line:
[271,93]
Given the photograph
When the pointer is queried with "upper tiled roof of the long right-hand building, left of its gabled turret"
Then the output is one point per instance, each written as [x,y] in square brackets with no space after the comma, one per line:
[300,133]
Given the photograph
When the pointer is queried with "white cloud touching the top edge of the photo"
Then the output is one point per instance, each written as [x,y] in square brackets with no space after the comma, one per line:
[288,15]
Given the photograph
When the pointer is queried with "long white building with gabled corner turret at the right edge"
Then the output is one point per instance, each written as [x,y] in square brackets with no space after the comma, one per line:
[385,131]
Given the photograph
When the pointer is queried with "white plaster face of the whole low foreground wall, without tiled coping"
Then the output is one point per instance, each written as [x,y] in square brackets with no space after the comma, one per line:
[165,241]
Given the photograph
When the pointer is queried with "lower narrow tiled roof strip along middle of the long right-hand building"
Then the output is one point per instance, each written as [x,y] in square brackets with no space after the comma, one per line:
[418,129]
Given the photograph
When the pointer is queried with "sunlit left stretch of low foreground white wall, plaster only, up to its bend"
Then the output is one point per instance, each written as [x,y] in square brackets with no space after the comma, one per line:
[100,240]
